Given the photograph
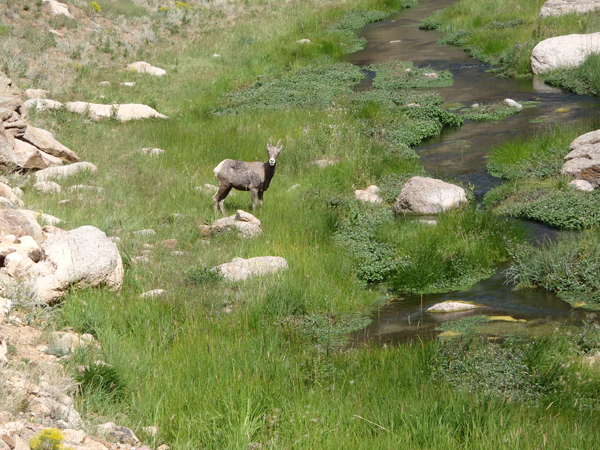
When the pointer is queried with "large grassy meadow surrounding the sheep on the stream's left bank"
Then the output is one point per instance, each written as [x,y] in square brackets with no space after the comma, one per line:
[265,363]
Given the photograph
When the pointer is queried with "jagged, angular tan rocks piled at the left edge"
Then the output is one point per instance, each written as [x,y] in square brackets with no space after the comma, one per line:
[23,146]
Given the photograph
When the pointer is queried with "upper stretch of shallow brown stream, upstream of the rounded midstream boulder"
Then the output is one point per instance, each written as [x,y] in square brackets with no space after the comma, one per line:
[461,152]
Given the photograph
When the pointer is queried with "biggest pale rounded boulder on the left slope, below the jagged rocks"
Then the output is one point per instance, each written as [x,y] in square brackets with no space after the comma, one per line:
[84,257]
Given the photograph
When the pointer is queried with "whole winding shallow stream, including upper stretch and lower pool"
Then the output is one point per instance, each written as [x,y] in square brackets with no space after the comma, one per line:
[461,153]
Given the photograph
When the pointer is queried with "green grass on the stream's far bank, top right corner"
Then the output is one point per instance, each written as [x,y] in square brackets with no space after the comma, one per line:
[504,33]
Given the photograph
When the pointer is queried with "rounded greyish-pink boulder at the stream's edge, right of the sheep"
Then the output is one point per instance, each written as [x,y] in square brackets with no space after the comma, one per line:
[421,195]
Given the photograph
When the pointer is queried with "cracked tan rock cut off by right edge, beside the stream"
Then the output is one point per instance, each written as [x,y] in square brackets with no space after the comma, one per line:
[583,161]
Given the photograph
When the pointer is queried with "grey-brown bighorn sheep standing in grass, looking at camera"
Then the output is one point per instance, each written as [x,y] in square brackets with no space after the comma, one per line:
[245,176]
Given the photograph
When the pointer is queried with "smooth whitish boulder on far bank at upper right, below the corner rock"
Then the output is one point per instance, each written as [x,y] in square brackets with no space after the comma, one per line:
[564,51]
